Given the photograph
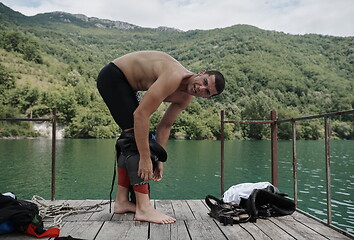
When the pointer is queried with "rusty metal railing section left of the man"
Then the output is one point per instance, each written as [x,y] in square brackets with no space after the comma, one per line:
[53,120]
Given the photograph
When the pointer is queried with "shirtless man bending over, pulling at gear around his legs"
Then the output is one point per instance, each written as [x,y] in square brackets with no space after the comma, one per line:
[165,80]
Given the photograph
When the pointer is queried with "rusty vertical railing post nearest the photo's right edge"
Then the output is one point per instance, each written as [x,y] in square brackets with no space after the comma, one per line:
[328,171]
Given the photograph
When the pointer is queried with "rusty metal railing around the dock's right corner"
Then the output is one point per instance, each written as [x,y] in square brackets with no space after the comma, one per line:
[274,146]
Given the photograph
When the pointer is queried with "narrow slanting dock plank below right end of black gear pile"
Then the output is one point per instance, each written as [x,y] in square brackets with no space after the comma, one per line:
[272,230]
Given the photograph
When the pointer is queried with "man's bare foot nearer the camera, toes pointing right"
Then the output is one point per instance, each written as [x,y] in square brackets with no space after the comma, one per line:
[152,215]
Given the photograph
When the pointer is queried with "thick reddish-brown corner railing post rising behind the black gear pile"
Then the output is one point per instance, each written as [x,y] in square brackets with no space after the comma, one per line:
[274,139]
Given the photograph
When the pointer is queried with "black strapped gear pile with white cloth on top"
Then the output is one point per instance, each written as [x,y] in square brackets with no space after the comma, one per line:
[248,201]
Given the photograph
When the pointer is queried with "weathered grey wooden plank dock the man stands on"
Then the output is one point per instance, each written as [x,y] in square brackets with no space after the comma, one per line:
[193,222]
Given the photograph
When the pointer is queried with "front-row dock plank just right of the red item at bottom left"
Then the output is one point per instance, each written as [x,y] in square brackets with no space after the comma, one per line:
[82,230]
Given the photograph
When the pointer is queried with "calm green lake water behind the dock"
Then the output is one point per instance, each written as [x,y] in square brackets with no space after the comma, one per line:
[85,168]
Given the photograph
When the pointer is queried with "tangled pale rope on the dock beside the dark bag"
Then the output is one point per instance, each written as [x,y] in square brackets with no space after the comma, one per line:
[59,211]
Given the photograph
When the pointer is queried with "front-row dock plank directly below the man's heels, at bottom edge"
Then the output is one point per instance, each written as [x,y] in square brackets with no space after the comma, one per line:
[123,230]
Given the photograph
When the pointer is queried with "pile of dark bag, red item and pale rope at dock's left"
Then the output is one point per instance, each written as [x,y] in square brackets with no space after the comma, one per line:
[26,216]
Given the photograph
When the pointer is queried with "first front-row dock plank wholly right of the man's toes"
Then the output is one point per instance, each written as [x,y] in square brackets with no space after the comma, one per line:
[205,229]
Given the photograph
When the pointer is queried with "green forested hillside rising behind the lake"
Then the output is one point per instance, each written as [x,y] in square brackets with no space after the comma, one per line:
[52,60]
